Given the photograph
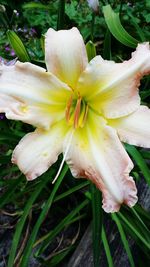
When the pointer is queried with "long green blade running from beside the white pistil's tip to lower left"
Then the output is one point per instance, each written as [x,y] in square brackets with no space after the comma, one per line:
[29,246]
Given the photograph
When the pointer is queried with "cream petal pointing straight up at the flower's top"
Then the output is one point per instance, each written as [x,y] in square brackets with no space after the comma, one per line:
[65,54]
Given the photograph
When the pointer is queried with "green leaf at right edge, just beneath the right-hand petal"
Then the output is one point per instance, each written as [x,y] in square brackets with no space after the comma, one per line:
[136,155]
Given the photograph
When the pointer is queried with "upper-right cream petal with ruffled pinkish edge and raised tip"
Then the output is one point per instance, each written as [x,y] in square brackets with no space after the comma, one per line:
[112,88]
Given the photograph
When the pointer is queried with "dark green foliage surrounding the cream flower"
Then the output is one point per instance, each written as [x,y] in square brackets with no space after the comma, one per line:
[43,212]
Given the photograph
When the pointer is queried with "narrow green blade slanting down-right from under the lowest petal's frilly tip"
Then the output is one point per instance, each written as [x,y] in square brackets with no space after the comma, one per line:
[123,238]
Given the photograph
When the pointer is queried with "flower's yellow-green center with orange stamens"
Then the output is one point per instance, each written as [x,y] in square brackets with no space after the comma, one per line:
[76,112]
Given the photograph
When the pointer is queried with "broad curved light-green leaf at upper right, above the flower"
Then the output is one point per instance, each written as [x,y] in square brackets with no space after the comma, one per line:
[114,25]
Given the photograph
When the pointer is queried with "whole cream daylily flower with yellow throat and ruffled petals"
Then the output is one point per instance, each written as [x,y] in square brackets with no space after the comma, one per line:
[85,110]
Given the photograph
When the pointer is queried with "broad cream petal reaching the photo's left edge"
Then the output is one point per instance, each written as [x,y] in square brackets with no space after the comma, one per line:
[31,94]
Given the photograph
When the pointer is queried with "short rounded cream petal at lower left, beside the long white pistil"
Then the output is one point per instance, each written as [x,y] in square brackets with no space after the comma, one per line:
[37,151]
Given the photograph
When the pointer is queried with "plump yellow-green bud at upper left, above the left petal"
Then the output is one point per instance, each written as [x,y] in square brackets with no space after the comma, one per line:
[18,46]
